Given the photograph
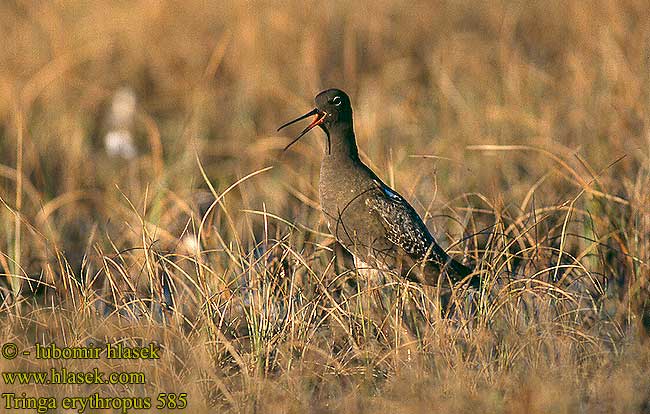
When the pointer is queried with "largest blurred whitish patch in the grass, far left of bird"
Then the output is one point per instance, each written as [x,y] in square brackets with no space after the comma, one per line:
[118,141]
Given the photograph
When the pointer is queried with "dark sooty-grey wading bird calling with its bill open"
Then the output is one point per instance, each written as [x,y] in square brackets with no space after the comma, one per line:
[367,217]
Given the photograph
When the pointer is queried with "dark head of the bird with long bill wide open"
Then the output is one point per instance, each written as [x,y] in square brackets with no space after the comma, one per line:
[333,108]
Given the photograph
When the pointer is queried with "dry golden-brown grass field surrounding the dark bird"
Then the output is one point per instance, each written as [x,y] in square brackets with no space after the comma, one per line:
[520,130]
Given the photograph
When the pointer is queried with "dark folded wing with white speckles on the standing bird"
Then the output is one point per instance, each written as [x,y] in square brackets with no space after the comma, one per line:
[405,229]
